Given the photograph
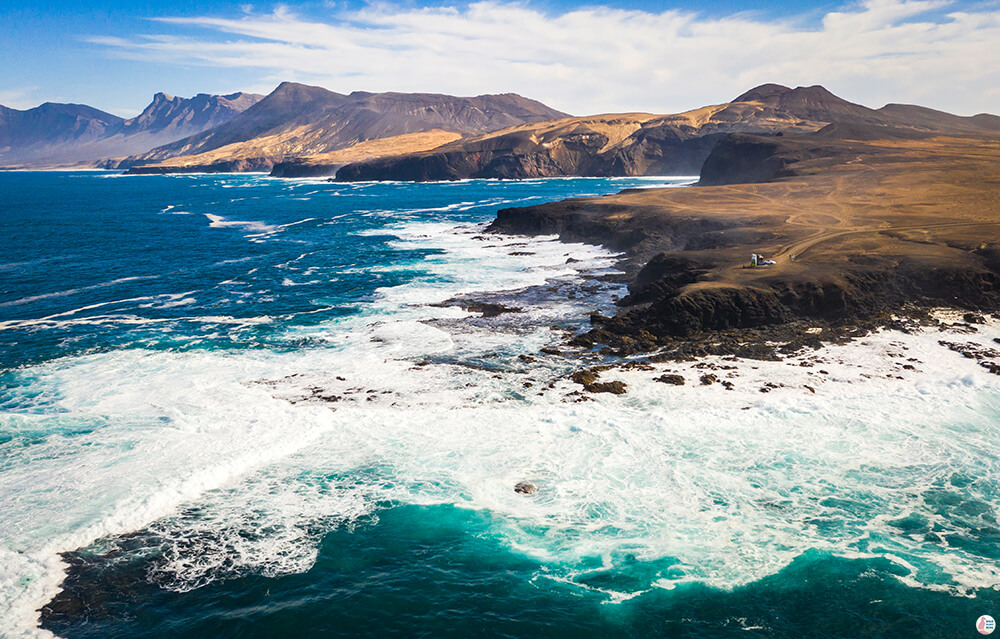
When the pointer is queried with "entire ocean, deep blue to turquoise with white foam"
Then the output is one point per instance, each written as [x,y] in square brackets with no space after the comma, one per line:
[239,406]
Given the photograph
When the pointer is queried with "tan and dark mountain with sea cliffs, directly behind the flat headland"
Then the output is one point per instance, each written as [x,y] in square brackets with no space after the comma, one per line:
[645,144]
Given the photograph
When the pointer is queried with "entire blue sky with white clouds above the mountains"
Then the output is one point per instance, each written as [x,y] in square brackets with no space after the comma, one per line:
[582,58]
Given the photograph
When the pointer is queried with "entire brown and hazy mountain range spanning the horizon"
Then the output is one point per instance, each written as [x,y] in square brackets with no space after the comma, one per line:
[300,130]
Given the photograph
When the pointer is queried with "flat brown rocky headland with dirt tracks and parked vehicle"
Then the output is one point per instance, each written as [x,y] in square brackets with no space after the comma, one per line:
[863,224]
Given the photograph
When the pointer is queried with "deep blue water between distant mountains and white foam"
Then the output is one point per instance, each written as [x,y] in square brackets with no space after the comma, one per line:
[74,240]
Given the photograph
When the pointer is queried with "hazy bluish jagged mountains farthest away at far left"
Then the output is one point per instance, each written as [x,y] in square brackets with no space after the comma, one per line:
[62,134]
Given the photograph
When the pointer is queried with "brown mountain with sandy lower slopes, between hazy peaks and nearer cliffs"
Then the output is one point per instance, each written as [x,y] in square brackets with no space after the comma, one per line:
[297,120]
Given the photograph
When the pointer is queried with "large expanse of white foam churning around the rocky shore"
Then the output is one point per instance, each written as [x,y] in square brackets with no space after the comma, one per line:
[313,438]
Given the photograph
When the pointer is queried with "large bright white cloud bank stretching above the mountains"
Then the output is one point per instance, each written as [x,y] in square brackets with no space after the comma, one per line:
[601,59]
